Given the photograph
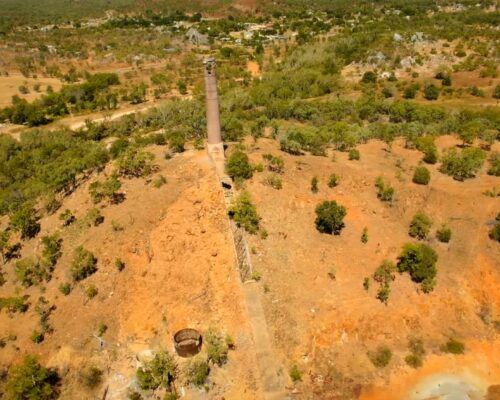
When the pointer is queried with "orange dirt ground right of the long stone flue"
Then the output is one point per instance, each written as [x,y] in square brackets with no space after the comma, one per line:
[327,326]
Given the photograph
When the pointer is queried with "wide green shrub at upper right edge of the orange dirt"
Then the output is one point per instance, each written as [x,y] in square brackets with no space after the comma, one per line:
[462,165]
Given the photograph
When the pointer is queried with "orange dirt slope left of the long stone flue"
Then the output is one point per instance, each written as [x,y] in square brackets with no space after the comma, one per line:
[179,273]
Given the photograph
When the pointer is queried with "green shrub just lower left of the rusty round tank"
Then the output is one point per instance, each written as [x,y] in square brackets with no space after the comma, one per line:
[161,371]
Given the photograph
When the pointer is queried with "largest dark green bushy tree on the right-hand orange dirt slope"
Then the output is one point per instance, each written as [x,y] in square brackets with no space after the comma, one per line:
[419,260]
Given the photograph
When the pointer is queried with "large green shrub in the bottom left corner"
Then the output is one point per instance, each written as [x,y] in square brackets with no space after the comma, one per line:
[29,380]
